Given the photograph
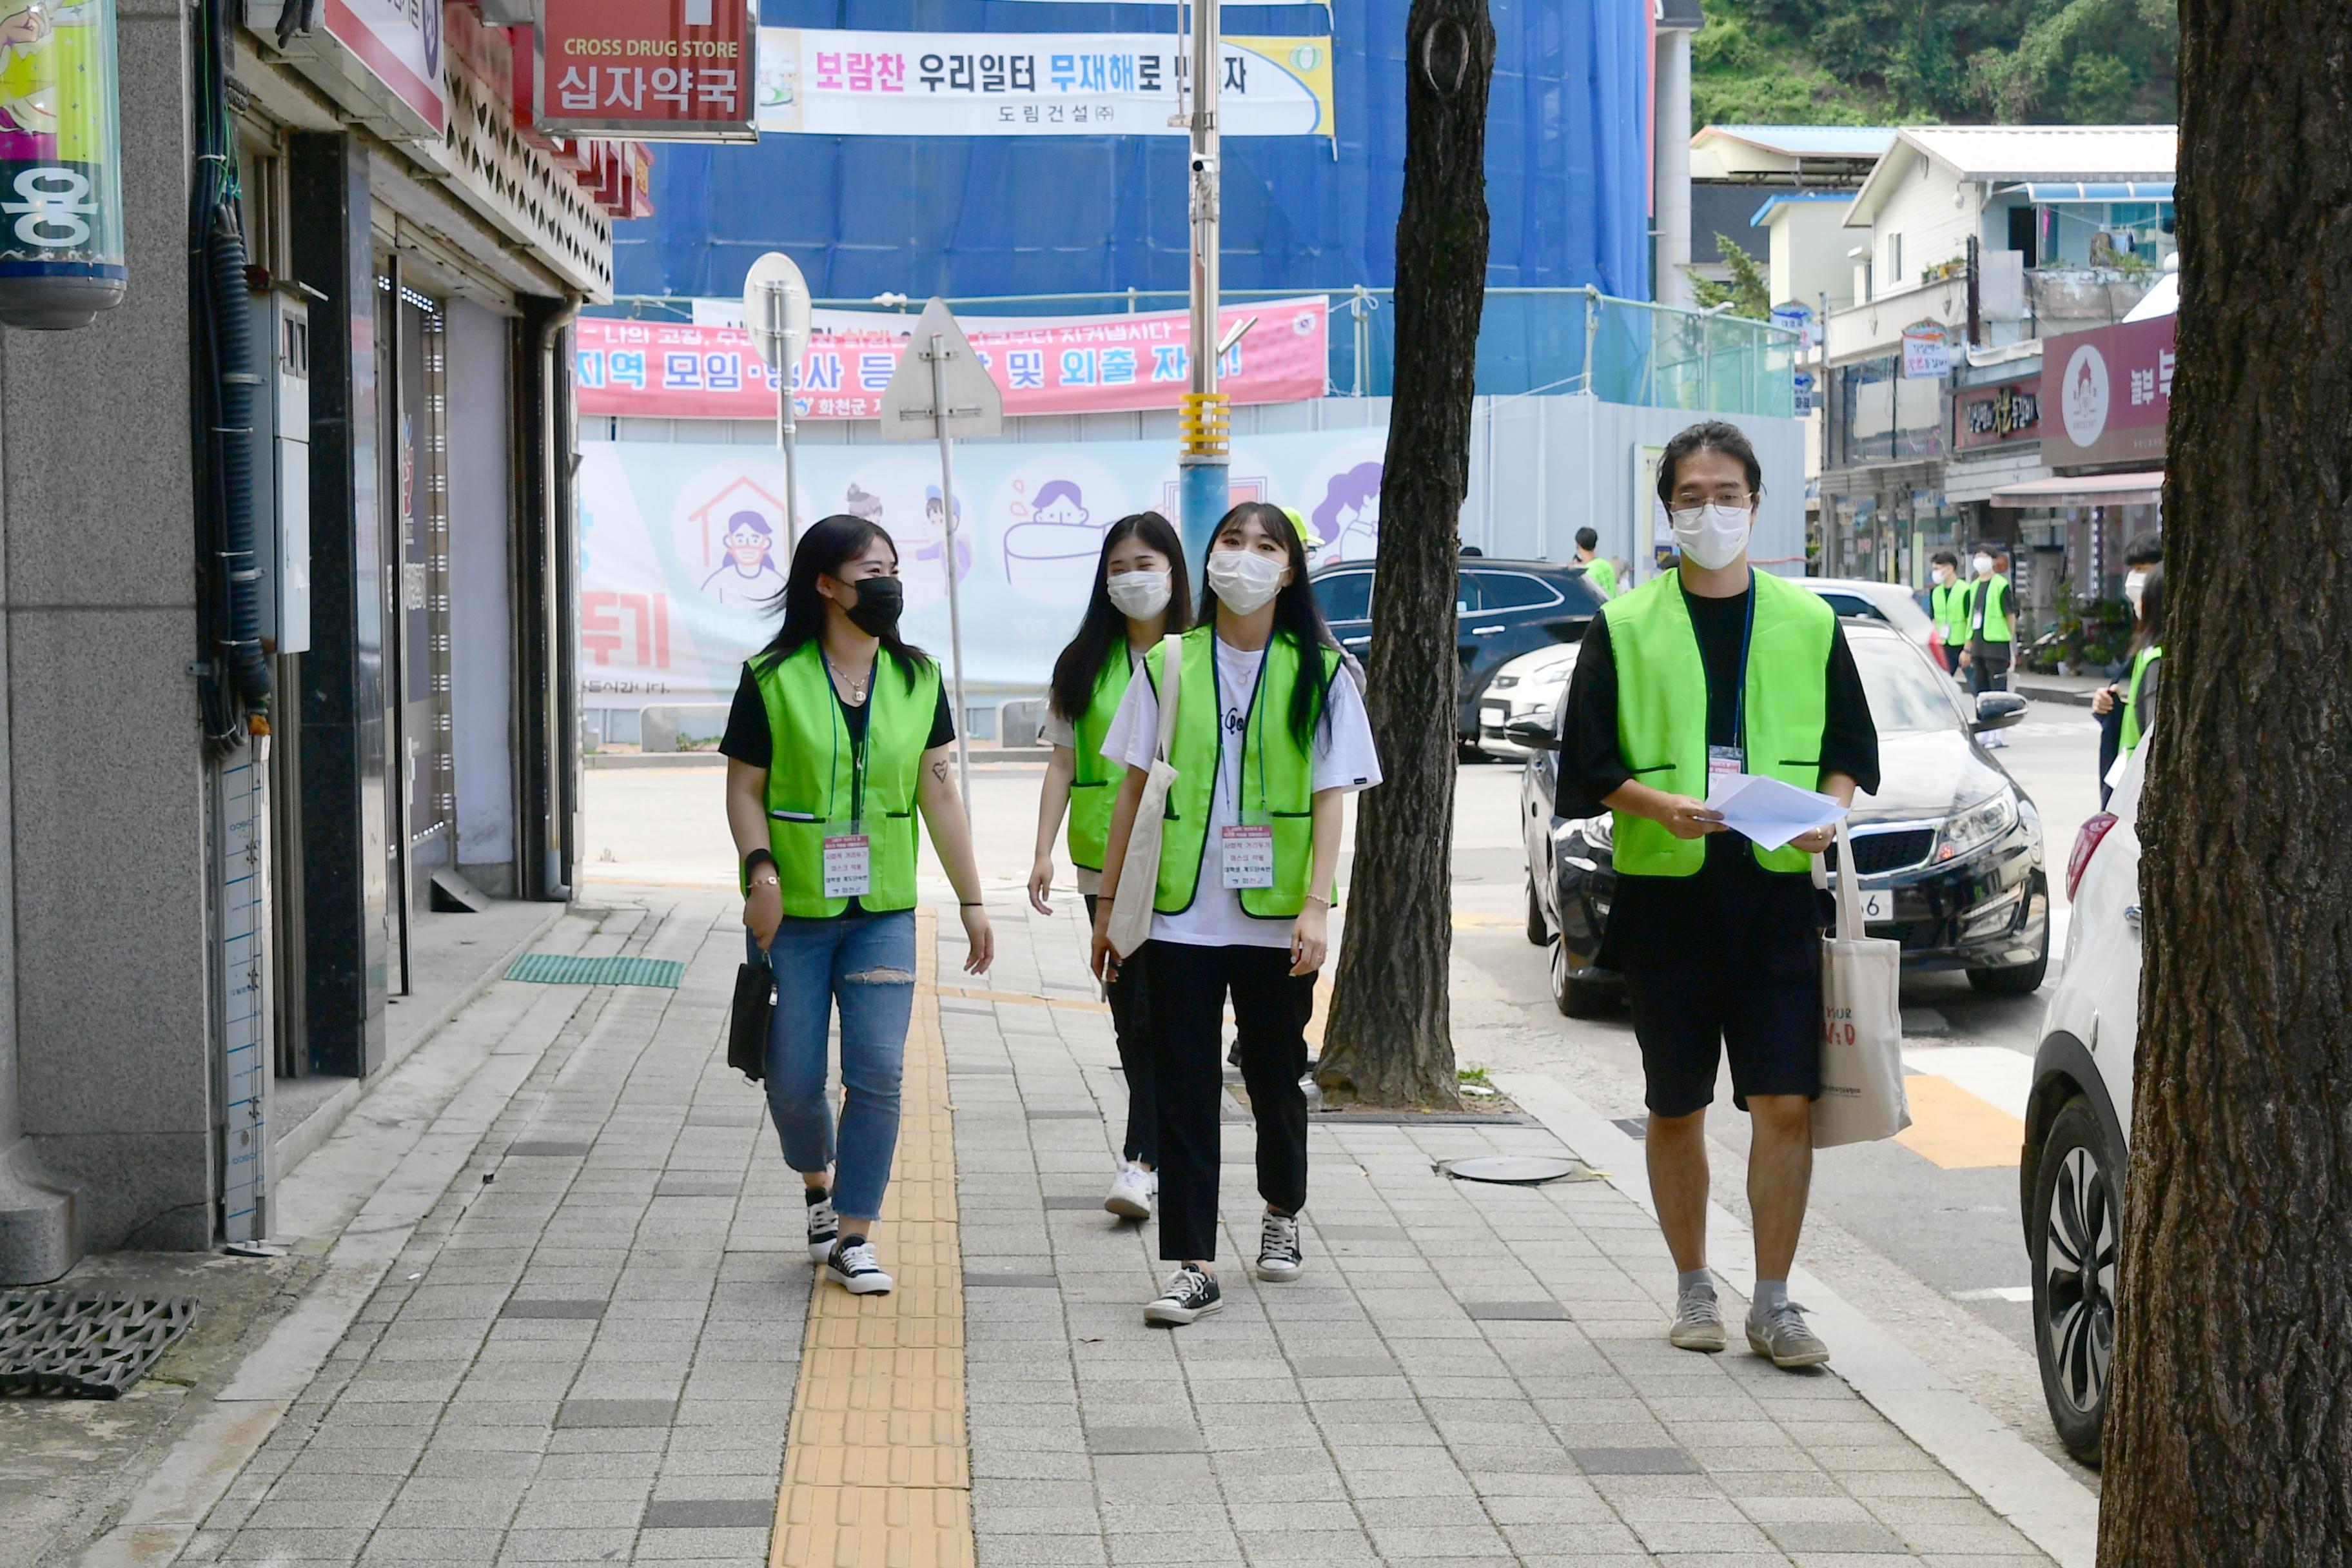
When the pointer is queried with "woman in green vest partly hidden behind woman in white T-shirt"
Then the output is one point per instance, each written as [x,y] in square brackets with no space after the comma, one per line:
[1140,596]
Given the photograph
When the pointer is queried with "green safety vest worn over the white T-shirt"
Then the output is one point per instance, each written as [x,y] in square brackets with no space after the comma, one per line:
[1278,775]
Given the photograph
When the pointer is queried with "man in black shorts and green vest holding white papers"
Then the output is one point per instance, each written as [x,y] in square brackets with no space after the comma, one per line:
[1718,669]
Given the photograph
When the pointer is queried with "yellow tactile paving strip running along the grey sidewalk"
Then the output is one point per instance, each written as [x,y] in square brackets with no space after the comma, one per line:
[878,1461]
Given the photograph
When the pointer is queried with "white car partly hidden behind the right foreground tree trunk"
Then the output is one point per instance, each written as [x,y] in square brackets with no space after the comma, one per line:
[2078,1123]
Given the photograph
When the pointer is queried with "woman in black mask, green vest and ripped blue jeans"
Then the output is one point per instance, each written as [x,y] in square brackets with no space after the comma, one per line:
[838,737]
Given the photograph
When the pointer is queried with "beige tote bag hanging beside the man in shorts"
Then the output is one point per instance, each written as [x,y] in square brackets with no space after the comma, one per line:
[1862,1024]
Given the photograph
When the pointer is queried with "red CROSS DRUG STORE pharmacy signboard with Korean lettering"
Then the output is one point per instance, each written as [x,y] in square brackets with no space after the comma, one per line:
[648,69]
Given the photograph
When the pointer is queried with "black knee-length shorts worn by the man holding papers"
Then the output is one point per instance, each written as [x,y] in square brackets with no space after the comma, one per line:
[1685,1014]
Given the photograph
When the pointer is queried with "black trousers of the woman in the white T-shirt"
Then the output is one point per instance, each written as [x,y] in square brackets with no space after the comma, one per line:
[1189,1036]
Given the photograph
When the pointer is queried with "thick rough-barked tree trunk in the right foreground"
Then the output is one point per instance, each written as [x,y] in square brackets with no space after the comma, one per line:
[2231,1409]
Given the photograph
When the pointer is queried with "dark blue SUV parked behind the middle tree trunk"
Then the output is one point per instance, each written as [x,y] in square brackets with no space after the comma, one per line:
[1502,610]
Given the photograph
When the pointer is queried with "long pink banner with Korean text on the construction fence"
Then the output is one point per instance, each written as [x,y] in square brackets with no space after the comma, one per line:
[1100,363]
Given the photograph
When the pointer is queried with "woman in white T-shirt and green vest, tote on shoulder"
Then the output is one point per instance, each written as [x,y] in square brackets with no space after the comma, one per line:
[1271,737]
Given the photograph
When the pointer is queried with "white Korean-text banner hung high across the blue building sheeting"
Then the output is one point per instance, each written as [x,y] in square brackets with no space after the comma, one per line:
[1031,83]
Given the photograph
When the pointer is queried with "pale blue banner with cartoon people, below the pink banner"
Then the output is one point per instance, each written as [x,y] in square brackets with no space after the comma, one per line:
[683,547]
